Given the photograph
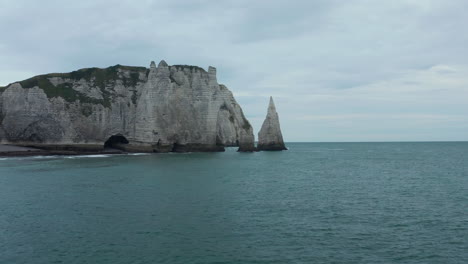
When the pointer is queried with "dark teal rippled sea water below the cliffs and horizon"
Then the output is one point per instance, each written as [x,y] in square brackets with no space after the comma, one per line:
[316,203]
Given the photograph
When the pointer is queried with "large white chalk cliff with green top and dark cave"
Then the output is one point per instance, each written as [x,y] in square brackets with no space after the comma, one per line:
[160,109]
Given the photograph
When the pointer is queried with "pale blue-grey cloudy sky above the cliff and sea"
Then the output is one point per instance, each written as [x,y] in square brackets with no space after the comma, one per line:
[354,70]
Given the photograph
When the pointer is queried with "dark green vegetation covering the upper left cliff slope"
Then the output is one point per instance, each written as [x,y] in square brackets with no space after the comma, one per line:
[100,78]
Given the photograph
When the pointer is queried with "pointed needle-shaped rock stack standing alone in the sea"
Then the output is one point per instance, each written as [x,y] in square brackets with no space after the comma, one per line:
[270,137]
